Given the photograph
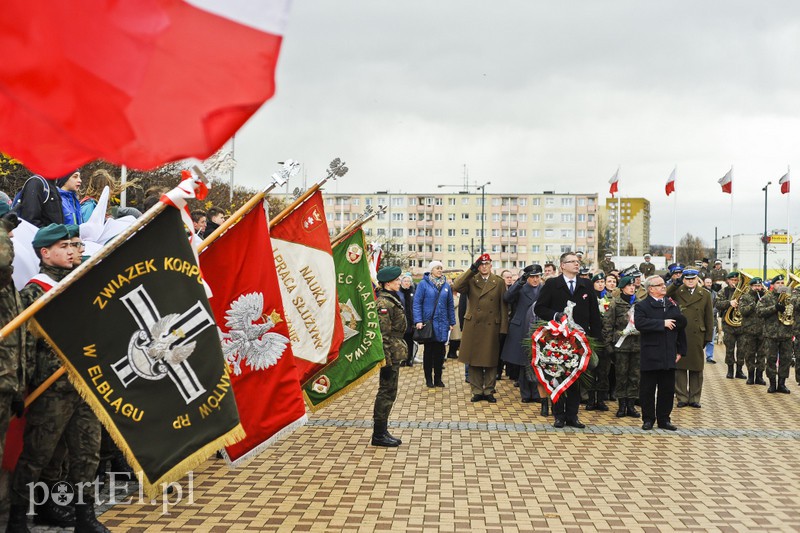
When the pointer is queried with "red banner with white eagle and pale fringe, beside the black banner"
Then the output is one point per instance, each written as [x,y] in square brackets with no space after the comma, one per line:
[254,334]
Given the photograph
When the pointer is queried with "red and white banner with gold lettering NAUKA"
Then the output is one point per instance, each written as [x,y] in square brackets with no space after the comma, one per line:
[304,261]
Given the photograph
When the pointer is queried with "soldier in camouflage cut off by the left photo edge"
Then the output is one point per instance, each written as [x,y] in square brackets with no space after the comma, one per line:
[12,347]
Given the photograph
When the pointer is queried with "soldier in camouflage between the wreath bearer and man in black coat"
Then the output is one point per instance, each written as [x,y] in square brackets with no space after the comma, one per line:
[615,320]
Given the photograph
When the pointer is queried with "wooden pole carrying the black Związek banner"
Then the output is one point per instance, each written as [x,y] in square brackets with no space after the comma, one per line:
[84,267]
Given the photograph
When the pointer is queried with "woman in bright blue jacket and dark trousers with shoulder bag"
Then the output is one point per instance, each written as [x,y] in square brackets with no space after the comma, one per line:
[432,289]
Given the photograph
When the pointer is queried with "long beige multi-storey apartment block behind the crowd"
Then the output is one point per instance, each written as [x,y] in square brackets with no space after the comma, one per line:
[517,229]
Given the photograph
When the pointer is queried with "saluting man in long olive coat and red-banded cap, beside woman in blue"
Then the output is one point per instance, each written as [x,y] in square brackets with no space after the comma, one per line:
[486,318]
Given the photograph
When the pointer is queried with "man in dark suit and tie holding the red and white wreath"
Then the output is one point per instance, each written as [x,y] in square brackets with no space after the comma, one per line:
[555,294]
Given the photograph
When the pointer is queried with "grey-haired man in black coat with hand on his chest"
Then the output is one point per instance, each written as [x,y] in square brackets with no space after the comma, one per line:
[662,330]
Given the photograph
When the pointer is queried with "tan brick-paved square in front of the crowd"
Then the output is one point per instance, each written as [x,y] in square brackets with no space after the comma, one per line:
[732,466]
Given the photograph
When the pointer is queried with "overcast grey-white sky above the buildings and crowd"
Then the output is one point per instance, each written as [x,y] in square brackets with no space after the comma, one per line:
[535,96]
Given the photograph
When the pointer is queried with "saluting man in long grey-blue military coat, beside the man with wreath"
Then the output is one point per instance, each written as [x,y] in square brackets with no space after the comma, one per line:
[522,294]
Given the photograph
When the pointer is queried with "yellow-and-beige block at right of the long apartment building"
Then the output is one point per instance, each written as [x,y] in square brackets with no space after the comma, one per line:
[634,232]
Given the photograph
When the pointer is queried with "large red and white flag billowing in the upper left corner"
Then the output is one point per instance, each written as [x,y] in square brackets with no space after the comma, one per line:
[135,83]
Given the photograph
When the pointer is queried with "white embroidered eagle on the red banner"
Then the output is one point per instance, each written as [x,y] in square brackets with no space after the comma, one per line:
[248,339]
